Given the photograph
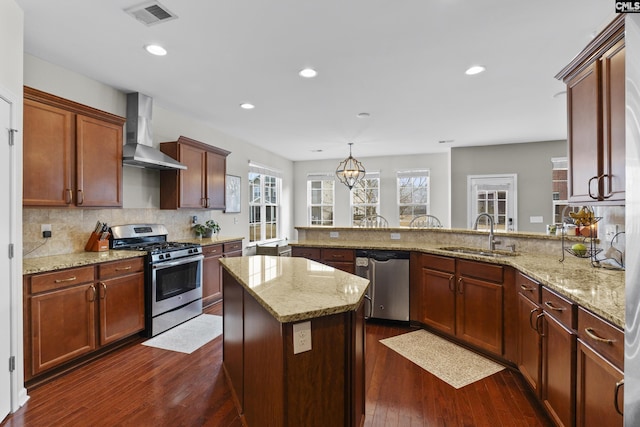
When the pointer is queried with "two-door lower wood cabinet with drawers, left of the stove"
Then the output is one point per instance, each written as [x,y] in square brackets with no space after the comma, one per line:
[69,314]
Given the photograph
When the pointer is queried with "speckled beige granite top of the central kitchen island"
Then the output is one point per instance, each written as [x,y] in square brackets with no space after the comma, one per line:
[295,289]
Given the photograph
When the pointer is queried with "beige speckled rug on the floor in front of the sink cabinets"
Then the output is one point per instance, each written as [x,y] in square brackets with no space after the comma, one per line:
[451,363]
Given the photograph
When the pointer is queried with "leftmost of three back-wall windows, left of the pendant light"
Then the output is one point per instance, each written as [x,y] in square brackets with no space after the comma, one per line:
[320,199]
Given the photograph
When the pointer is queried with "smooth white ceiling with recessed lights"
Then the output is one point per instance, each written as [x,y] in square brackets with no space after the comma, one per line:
[401,61]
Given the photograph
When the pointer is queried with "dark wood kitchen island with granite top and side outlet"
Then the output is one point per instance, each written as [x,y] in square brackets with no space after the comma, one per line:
[293,341]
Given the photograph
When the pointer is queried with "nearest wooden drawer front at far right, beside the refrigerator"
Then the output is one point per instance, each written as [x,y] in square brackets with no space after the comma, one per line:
[602,336]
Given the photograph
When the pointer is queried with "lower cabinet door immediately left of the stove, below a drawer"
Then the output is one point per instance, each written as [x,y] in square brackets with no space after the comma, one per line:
[121,307]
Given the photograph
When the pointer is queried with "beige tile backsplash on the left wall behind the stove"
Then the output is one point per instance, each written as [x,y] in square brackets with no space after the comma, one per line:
[71,228]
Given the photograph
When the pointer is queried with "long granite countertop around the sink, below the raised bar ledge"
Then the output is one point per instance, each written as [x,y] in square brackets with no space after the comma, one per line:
[599,290]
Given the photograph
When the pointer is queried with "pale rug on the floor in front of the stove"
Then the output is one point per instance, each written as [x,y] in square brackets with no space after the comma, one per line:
[190,335]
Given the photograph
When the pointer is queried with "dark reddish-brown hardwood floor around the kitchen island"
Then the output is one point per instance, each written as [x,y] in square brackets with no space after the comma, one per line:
[144,386]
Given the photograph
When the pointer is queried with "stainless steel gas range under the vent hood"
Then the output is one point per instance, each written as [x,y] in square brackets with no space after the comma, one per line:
[173,275]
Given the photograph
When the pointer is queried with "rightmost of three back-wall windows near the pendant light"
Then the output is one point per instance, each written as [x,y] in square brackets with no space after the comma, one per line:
[413,195]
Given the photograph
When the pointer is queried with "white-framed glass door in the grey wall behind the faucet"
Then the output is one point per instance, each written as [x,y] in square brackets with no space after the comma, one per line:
[495,195]
